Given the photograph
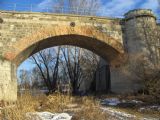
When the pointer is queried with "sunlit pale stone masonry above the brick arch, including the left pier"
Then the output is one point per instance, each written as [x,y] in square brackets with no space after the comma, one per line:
[15,25]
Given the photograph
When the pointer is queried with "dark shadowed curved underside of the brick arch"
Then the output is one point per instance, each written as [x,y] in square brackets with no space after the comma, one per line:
[104,50]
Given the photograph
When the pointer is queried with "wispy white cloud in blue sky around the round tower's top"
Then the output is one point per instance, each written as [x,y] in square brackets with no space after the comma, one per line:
[117,8]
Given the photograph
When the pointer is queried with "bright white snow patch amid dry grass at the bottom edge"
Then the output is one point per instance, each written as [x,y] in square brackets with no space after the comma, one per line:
[48,116]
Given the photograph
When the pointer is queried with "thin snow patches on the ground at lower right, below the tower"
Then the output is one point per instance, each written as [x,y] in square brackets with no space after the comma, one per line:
[111,104]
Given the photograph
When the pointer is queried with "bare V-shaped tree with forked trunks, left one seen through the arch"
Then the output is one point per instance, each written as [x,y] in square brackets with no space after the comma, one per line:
[47,62]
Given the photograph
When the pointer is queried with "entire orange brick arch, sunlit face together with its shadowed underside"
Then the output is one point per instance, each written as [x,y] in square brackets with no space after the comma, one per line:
[82,36]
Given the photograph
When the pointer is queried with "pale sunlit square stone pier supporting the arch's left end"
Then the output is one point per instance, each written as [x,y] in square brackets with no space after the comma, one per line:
[8,81]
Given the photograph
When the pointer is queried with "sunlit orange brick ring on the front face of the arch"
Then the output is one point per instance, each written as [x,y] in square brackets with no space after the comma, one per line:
[48,32]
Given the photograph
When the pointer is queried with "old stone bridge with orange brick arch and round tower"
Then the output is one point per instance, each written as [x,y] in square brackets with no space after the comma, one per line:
[23,34]
